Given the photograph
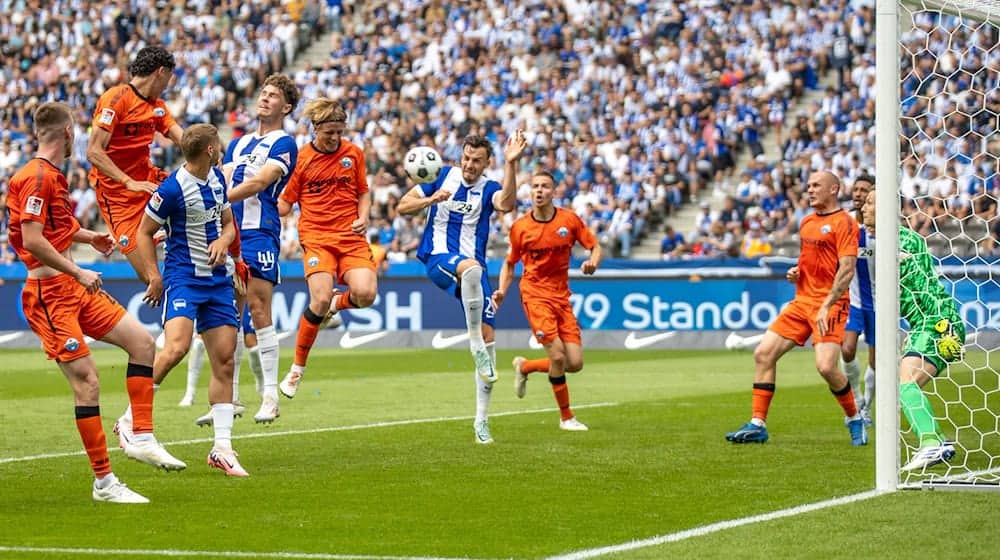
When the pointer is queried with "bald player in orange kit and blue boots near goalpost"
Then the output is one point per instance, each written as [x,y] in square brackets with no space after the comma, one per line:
[829,249]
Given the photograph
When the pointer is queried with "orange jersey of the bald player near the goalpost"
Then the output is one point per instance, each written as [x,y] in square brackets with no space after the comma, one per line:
[825,238]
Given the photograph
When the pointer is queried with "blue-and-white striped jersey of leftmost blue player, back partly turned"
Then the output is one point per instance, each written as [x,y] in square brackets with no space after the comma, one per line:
[191,212]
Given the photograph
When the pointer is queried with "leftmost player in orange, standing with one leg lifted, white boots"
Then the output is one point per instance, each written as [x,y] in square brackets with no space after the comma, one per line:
[63,303]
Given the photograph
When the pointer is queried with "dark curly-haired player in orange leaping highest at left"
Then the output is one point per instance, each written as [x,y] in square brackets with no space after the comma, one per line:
[125,119]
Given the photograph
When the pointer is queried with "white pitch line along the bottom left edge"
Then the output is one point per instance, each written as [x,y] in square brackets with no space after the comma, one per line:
[211,553]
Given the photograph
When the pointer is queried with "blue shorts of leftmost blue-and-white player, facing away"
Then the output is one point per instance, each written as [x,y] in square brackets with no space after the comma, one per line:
[207,307]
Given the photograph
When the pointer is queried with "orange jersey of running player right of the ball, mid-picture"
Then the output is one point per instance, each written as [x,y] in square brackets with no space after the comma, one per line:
[545,248]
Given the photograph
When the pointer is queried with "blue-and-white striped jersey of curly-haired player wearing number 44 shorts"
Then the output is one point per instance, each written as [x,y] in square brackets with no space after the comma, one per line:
[247,155]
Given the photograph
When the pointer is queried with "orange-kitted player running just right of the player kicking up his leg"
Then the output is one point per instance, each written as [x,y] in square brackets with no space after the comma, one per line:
[543,239]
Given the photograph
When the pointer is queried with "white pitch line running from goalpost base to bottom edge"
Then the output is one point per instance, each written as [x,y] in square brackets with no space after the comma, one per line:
[714,527]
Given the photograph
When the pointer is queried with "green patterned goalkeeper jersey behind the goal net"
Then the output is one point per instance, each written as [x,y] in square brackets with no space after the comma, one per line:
[922,297]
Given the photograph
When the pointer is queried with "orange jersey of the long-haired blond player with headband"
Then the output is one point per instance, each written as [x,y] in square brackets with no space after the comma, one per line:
[327,188]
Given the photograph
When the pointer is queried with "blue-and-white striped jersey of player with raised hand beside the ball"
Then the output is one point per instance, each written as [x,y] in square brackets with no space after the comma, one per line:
[460,224]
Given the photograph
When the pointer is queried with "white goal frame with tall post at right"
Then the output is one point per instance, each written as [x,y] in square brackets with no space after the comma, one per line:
[887,219]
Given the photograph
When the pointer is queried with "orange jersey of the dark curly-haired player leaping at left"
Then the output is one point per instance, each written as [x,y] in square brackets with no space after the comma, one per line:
[132,120]
